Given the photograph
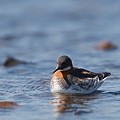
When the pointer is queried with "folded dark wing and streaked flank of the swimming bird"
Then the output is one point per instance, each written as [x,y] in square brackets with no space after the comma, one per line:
[87,79]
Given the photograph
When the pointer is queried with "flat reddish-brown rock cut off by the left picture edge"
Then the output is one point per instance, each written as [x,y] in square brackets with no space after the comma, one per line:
[7,104]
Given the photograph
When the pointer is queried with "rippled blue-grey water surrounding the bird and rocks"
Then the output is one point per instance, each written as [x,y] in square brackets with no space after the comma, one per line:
[39,31]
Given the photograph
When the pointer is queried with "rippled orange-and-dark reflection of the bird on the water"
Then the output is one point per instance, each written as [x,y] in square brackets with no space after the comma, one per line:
[78,104]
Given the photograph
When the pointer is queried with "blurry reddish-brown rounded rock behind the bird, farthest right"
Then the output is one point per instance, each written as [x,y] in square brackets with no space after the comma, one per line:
[106,45]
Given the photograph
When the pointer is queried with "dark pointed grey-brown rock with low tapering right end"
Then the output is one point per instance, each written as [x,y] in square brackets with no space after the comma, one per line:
[10,61]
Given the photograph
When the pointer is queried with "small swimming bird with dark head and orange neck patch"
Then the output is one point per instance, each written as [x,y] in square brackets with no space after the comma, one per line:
[69,79]
